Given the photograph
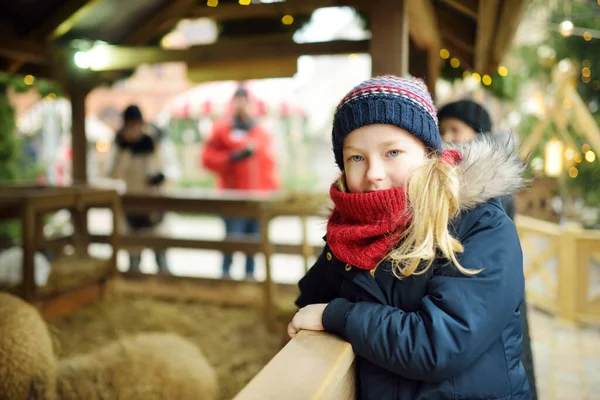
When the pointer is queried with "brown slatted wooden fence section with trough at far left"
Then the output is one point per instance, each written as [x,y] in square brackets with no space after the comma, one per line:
[29,204]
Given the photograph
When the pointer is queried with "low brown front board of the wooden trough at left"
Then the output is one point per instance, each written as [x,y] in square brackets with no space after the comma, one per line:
[68,303]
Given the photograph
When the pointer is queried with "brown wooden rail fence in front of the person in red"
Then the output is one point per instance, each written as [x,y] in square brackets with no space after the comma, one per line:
[261,206]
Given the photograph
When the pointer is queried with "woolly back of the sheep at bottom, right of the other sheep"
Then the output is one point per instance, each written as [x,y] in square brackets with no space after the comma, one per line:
[159,366]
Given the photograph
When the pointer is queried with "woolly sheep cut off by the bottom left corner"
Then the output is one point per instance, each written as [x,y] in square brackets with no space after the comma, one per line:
[28,368]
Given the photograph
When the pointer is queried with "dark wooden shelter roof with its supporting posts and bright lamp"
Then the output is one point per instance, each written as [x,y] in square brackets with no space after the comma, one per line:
[41,38]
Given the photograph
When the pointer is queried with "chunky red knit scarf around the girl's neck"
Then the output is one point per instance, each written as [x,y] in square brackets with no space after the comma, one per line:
[364,227]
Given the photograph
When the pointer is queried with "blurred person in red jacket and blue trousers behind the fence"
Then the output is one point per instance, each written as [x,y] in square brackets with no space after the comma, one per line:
[239,152]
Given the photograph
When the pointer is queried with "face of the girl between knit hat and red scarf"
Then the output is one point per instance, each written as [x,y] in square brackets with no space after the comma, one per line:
[379,157]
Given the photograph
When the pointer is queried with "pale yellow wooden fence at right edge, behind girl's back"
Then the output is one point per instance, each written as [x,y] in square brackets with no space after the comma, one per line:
[562,268]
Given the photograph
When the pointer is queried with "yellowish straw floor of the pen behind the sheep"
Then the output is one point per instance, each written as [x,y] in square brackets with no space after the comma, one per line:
[234,340]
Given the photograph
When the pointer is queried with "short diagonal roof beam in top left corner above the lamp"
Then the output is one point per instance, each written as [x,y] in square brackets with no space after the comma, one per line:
[63,20]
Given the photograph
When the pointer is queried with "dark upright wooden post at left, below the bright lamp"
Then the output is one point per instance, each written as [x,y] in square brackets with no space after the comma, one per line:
[78,91]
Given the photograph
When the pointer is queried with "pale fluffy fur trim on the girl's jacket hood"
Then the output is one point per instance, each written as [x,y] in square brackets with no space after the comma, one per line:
[490,168]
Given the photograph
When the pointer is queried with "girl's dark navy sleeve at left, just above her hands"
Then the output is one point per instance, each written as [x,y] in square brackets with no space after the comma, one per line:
[321,284]
